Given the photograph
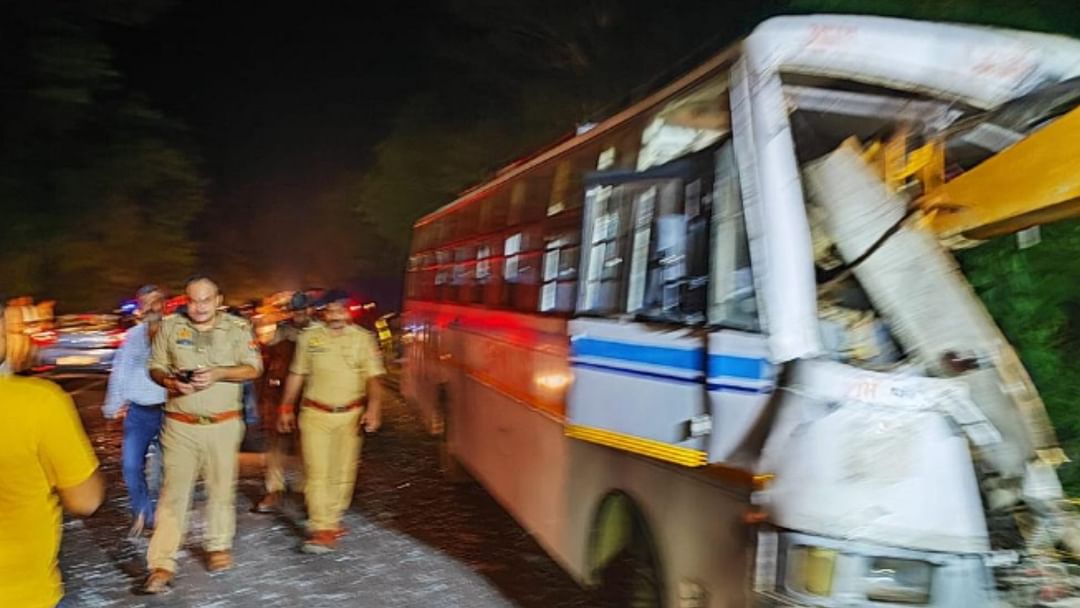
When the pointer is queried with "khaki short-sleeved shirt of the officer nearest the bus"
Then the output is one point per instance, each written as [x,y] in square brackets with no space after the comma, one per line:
[337,368]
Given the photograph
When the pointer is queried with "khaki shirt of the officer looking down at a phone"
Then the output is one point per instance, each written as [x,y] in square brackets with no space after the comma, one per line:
[179,347]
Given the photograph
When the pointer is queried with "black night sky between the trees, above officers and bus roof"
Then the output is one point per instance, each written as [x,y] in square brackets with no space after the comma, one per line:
[285,102]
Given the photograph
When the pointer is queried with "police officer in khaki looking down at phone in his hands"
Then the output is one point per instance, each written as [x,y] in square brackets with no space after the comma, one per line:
[202,359]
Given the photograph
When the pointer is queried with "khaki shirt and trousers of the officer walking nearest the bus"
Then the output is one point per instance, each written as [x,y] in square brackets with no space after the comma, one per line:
[336,371]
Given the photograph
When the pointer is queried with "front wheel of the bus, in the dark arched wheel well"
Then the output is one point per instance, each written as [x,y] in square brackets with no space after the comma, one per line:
[626,566]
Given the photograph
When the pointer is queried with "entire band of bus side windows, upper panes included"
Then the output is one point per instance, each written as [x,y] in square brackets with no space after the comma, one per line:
[647,224]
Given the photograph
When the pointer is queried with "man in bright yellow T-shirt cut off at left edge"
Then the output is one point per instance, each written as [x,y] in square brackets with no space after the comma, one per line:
[46,463]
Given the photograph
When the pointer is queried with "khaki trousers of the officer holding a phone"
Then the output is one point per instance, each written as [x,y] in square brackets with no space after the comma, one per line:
[188,451]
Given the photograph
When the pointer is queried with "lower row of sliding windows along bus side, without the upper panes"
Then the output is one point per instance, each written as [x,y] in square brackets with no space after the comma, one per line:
[667,245]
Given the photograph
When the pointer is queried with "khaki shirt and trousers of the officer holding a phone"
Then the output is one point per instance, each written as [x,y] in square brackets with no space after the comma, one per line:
[190,450]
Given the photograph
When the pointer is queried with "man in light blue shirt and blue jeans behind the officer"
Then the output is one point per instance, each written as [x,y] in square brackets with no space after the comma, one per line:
[139,400]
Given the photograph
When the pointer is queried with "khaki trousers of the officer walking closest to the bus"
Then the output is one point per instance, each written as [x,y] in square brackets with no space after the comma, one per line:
[331,444]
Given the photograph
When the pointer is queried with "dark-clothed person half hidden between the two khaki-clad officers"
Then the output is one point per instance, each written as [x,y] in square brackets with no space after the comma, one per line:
[281,454]
